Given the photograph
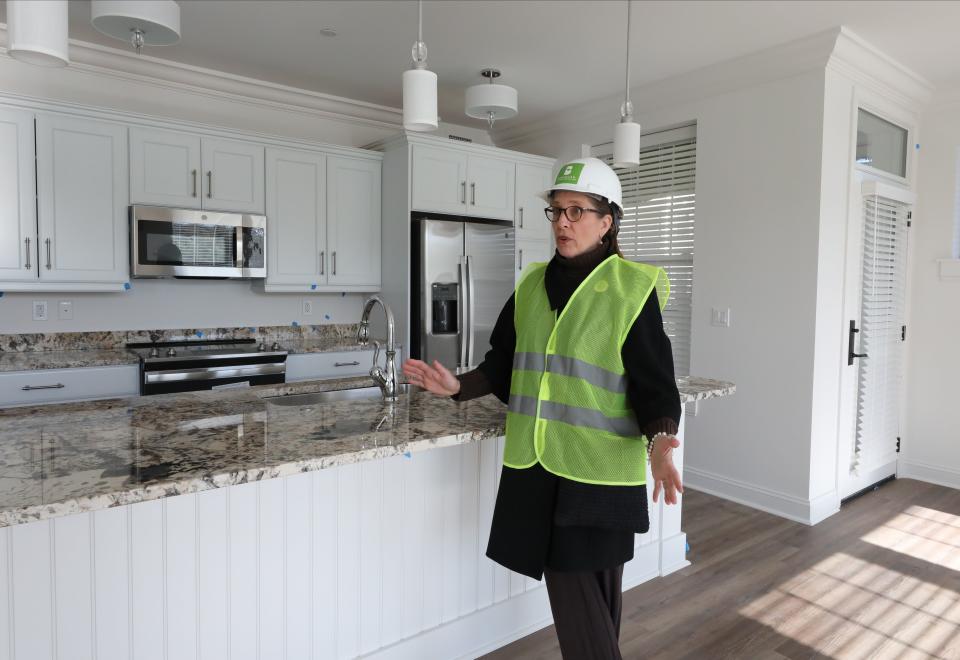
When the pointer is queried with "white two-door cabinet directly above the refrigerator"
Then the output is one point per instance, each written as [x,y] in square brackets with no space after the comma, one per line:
[462,183]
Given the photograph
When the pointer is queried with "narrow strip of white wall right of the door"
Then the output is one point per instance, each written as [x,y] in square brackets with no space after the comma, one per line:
[931,428]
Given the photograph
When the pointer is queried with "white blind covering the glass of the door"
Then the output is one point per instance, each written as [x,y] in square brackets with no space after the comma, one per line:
[882,311]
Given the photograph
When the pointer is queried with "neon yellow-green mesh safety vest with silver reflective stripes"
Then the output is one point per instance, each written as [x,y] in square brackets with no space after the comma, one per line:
[568,408]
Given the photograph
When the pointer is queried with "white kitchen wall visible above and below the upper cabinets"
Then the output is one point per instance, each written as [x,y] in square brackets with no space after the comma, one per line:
[117,80]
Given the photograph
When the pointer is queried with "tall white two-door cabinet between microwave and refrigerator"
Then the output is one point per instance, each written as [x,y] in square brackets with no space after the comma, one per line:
[323,220]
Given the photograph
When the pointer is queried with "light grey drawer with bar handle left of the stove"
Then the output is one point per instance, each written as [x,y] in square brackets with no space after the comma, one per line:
[19,388]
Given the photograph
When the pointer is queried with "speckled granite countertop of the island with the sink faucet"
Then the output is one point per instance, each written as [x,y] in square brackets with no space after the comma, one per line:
[66,458]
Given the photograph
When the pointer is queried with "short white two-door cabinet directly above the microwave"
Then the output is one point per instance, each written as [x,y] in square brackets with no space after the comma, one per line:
[188,171]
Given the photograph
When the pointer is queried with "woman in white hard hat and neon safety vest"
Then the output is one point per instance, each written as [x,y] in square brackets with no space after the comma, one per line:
[580,355]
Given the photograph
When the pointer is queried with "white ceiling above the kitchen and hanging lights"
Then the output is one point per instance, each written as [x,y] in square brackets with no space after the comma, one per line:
[556,53]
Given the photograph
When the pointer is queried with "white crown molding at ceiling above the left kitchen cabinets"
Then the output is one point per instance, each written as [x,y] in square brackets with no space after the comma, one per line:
[127,66]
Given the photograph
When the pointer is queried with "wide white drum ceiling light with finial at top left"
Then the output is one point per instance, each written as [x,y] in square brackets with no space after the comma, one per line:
[139,22]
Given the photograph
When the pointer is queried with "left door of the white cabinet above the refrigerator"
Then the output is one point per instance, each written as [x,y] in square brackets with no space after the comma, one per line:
[439,180]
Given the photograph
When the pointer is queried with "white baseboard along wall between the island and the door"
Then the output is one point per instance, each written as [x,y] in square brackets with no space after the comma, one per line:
[791,507]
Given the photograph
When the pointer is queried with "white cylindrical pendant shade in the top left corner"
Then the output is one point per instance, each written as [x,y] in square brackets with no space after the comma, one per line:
[37,32]
